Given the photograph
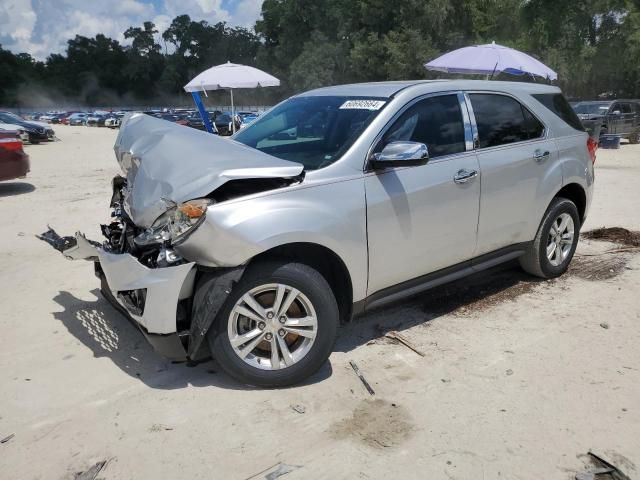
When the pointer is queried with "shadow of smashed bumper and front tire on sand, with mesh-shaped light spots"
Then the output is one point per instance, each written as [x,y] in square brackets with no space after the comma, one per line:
[107,333]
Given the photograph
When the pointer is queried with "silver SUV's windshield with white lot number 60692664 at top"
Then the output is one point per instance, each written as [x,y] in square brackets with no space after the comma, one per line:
[313,131]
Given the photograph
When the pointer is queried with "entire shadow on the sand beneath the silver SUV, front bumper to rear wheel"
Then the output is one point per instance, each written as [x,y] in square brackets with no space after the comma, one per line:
[107,333]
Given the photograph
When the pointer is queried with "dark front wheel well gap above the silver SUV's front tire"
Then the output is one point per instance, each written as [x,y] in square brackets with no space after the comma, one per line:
[322,259]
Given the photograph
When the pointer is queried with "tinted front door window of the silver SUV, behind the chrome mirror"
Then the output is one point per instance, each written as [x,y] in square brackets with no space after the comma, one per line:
[434,121]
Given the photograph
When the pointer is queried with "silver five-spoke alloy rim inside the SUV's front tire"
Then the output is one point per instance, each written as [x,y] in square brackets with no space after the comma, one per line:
[272,326]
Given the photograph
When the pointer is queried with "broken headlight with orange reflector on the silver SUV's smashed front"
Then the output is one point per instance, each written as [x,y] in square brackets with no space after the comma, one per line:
[176,223]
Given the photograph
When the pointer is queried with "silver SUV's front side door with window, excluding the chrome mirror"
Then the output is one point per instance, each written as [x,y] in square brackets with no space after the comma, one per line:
[422,219]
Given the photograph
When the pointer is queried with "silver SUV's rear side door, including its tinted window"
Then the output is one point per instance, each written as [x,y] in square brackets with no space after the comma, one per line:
[518,165]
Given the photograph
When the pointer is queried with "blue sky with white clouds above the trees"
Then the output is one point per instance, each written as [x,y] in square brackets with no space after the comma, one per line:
[42,27]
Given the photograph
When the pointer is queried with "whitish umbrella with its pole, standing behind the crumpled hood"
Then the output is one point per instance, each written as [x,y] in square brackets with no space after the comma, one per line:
[229,76]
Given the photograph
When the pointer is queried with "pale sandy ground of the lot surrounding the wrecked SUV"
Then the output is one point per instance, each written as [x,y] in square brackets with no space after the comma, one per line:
[518,381]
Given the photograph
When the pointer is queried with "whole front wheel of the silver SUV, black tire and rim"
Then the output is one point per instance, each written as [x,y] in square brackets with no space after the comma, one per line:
[262,283]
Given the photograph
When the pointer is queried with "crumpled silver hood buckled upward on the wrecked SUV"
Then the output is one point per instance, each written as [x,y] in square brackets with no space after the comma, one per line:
[163,160]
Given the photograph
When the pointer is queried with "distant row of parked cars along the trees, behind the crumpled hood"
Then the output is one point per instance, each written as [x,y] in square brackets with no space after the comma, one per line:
[222,122]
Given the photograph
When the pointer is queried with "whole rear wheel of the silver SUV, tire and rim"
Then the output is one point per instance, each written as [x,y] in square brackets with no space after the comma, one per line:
[535,260]
